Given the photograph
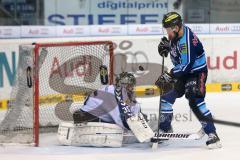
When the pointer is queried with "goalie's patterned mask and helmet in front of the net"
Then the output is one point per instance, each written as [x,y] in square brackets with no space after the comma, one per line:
[126,80]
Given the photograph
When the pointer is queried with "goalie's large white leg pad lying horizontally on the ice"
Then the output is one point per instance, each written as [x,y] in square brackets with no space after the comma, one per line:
[94,134]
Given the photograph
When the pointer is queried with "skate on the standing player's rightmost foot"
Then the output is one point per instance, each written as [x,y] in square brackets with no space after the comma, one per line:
[213,141]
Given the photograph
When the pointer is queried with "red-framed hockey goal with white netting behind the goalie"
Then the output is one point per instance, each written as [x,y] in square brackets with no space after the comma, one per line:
[49,78]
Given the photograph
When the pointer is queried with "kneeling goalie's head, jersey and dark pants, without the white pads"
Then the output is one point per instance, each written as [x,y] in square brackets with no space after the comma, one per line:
[104,105]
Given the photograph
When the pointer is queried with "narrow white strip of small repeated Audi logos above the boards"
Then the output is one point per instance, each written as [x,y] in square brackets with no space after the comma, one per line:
[9,32]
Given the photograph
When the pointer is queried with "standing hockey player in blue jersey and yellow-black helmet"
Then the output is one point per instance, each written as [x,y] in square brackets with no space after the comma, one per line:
[188,75]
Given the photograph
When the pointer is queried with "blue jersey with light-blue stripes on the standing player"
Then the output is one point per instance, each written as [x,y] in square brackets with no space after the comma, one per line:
[187,54]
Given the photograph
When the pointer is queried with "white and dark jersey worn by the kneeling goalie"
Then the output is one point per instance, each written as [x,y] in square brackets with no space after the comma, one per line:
[105,105]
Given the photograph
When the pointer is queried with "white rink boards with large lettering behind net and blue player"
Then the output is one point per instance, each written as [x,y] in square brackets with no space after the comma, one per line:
[138,54]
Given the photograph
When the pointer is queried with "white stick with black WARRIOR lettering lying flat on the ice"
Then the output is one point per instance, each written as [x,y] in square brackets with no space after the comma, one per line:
[178,136]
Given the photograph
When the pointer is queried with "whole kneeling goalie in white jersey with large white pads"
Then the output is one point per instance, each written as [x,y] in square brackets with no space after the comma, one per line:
[106,113]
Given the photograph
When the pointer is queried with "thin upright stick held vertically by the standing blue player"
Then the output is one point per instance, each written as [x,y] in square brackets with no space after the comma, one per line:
[155,144]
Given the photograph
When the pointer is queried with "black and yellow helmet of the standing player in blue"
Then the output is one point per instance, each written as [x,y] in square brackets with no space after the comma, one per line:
[171,19]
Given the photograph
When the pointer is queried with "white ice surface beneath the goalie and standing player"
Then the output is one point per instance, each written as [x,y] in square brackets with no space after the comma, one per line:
[224,106]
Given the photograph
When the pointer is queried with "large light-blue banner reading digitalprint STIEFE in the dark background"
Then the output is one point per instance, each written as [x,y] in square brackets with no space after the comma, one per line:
[105,12]
